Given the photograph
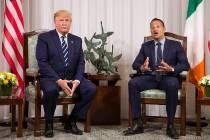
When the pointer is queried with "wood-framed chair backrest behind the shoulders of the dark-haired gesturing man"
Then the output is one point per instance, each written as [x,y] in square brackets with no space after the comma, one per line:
[172,36]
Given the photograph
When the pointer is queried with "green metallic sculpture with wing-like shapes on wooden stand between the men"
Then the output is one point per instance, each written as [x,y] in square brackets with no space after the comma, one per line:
[97,54]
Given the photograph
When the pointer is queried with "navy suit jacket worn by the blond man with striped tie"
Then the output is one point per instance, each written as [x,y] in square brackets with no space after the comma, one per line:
[50,57]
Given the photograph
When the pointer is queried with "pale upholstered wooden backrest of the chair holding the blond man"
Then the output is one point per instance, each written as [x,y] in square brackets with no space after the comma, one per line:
[30,41]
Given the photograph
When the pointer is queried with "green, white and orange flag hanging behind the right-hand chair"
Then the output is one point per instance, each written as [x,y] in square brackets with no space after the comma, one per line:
[194,30]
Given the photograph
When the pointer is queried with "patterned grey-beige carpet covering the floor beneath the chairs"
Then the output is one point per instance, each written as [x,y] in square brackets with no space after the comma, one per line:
[153,131]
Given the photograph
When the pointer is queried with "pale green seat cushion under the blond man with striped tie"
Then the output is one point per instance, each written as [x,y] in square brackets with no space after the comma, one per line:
[30,91]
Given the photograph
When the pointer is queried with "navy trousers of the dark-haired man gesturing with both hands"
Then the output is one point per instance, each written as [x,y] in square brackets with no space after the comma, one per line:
[168,83]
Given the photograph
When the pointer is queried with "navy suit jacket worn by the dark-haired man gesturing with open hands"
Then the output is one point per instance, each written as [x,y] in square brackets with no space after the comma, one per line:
[173,54]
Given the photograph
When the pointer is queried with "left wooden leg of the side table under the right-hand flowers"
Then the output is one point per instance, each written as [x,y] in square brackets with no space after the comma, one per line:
[198,118]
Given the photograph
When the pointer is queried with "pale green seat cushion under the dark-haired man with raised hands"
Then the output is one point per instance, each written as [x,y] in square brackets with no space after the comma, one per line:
[156,94]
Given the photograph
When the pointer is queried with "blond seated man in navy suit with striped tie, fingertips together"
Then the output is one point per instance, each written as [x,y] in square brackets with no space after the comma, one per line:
[61,64]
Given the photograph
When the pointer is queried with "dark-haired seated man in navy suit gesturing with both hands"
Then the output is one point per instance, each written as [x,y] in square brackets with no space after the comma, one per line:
[159,62]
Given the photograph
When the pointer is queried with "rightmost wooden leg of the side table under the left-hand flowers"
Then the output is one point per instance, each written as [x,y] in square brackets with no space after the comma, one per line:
[20,119]
